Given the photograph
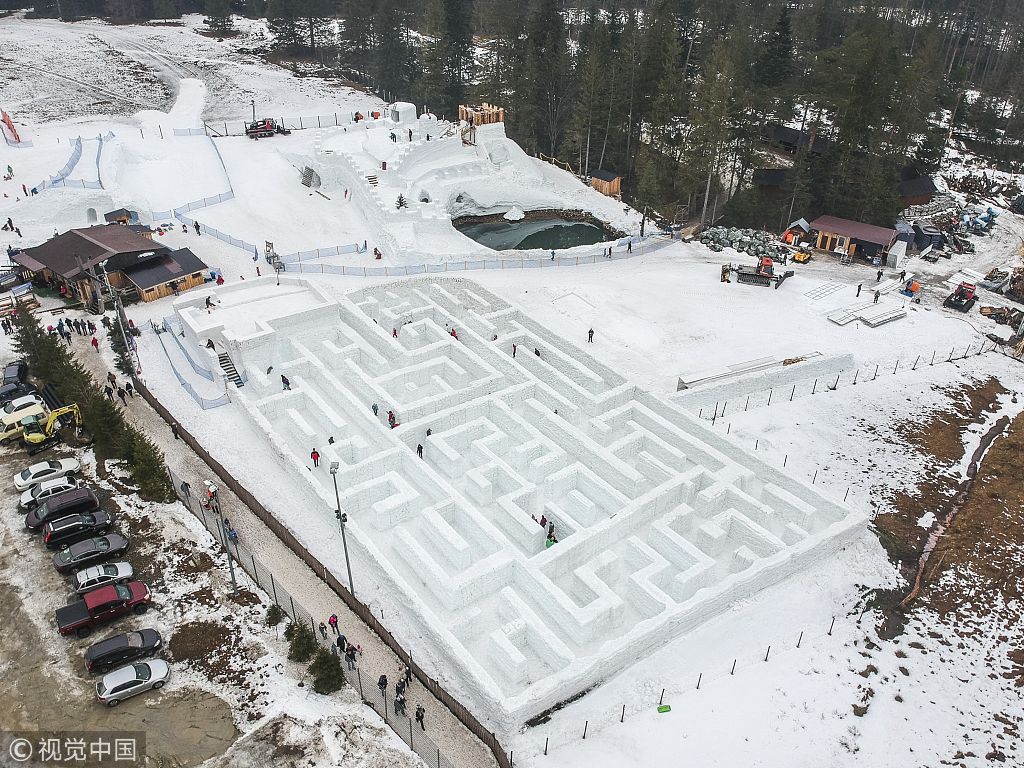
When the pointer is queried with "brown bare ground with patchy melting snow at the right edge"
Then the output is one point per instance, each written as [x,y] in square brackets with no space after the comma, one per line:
[971,586]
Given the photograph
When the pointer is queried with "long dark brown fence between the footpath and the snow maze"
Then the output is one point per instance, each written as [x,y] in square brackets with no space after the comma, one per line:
[363,612]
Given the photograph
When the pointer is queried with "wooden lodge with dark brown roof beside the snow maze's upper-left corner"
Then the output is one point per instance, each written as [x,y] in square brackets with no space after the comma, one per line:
[76,262]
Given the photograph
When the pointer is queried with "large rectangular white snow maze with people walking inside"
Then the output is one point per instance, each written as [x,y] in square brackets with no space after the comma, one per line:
[661,524]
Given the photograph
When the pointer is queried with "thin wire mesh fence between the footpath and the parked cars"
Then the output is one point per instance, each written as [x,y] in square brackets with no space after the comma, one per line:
[381,702]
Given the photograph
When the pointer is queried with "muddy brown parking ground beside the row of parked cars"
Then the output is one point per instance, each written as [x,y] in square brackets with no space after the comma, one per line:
[46,684]
